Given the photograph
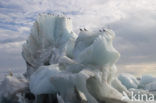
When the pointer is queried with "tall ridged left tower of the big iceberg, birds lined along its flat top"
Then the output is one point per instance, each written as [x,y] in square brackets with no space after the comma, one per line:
[47,41]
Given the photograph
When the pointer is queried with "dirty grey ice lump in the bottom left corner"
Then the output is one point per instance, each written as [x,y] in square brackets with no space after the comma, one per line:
[10,87]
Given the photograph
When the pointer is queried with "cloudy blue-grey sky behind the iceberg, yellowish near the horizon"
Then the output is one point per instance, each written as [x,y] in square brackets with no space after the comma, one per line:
[133,21]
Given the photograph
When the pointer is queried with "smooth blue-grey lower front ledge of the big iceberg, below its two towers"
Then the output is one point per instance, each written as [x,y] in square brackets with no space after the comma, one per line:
[50,79]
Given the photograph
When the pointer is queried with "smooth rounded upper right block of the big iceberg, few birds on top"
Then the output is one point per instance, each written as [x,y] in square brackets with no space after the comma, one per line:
[95,48]
